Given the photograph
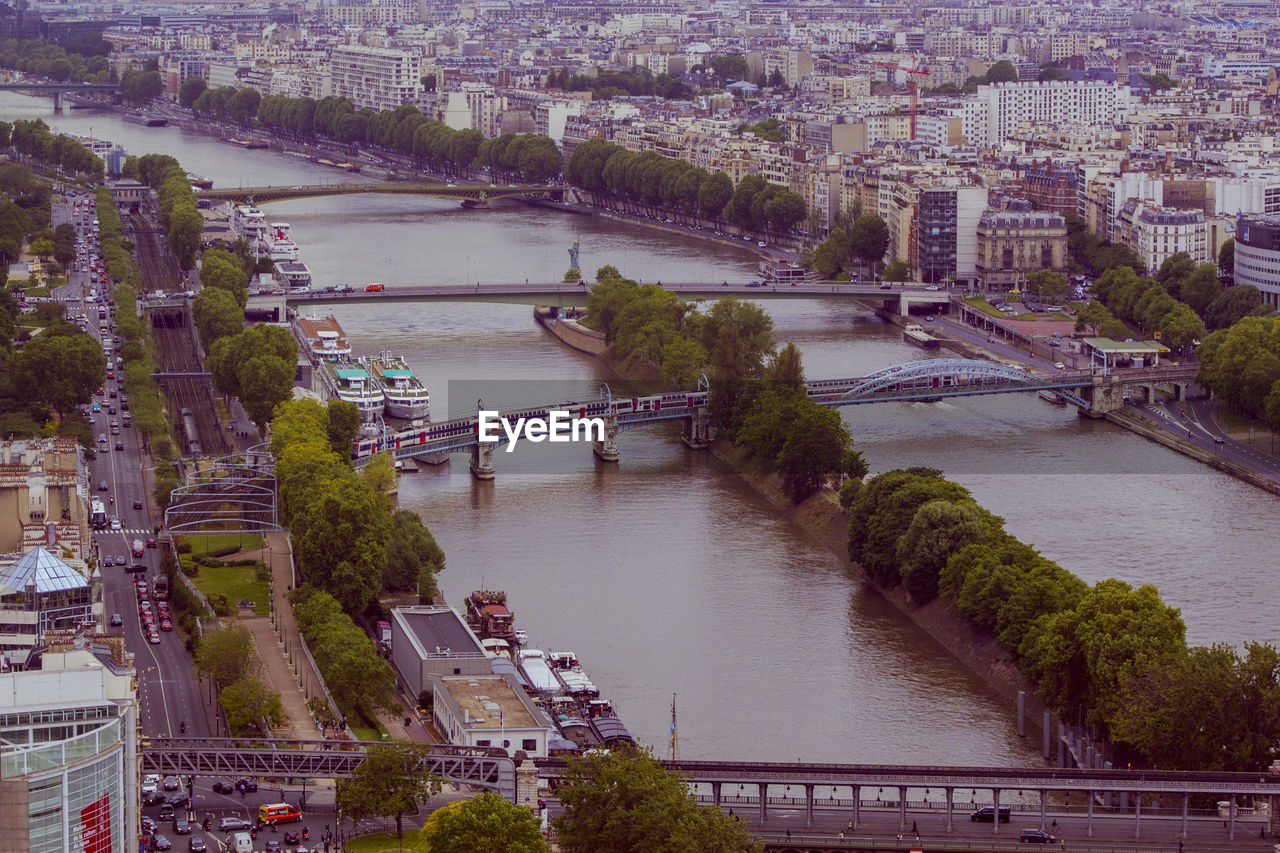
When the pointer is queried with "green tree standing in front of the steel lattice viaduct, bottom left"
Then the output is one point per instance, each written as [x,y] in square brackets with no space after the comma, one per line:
[390,782]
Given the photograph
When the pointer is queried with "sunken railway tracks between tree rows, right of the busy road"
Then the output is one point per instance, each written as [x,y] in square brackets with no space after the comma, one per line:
[175,339]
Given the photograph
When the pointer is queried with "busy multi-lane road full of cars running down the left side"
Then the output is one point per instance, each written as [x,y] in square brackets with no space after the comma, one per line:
[168,692]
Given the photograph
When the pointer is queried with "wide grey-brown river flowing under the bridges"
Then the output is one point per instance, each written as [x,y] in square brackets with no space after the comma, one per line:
[666,573]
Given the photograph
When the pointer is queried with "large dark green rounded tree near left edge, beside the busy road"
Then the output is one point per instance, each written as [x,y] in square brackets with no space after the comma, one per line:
[60,371]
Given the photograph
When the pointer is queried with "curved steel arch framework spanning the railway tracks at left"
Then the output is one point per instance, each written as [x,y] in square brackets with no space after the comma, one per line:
[234,495]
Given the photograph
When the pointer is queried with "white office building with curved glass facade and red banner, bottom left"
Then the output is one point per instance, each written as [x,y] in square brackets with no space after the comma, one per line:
[68,754]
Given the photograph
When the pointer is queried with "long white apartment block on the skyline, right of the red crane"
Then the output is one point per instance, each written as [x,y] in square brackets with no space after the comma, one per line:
[999,111]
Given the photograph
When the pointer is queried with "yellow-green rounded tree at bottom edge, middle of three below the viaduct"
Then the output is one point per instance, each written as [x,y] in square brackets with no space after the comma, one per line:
[484,824]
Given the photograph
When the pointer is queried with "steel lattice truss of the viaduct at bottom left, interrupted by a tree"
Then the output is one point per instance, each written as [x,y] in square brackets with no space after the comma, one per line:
[263,759]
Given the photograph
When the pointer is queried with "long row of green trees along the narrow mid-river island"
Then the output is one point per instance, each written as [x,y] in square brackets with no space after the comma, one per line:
[1109,655]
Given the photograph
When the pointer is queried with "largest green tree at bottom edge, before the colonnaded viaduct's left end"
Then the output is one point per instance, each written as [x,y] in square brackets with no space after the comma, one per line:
[625,802]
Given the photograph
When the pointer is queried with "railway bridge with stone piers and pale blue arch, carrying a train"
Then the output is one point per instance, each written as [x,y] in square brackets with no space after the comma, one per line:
[1094,393]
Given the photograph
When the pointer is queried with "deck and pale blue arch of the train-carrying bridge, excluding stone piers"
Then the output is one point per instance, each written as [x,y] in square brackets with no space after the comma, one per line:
[924,381]
